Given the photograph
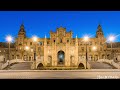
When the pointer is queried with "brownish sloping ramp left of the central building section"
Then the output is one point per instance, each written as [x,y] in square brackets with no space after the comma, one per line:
[20,66]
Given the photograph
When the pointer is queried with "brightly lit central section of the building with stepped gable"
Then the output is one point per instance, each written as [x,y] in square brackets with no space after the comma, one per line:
[61,49]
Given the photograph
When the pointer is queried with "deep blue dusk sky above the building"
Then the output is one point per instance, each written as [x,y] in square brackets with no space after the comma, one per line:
[41,22]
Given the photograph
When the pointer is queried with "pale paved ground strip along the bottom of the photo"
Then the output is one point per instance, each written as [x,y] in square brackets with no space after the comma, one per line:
[55,74]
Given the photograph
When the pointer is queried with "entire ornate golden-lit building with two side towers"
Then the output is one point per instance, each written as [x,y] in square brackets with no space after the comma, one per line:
[61,49]
